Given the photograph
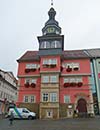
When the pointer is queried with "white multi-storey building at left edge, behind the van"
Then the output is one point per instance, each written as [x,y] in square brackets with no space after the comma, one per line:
[8,90]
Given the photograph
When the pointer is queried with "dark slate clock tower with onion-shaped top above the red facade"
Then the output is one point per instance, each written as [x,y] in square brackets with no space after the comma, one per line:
[51,42]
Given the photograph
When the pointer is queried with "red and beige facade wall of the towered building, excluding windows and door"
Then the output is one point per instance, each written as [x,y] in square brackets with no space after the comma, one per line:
[58,108]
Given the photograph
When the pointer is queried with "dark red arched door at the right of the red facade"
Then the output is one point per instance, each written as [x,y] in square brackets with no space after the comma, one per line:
[81,106]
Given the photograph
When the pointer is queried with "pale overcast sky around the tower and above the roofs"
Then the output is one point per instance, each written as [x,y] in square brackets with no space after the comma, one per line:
[21,22]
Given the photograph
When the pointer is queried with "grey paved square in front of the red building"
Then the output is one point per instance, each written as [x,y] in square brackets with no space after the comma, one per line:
[62,124]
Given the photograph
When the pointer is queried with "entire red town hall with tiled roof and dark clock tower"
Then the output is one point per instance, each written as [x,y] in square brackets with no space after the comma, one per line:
[54,82]
